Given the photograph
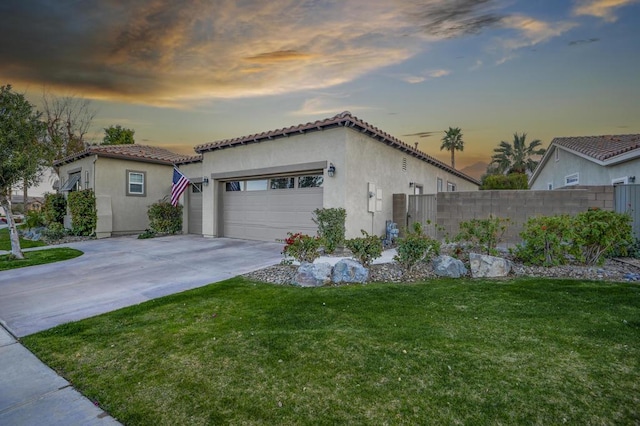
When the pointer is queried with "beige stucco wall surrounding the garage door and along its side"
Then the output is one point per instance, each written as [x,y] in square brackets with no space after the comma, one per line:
[358,160]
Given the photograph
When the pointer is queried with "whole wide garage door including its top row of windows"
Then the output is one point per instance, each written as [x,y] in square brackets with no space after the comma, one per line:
[266,209]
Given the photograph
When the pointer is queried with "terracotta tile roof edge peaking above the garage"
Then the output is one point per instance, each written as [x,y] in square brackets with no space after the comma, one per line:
[344,119]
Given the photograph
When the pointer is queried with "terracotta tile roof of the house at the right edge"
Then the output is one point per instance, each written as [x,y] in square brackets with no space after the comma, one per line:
[600,147]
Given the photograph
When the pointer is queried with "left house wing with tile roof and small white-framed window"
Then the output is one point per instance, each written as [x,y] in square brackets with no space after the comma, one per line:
[126,180]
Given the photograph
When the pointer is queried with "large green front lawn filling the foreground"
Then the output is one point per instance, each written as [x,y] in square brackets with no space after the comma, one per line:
[525,351]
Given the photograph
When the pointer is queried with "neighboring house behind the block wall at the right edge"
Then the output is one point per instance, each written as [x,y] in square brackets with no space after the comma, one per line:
[588,161]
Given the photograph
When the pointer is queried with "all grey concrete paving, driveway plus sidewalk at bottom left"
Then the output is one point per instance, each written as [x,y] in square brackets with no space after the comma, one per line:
[112,273]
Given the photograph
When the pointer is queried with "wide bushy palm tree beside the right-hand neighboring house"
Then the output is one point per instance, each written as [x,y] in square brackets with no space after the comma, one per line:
[516,157]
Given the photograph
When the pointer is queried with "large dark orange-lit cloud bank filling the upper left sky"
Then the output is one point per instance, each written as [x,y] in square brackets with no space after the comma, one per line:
[164,51]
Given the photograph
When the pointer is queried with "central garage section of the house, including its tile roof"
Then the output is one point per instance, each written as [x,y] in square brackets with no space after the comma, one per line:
[262,186]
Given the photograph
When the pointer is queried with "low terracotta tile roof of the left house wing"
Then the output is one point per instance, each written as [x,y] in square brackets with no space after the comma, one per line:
[144,153]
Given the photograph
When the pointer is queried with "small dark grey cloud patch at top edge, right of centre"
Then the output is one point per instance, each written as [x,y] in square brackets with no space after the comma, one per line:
[456,18]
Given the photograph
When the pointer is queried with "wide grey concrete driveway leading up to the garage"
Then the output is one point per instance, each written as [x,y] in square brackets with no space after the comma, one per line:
[123,271]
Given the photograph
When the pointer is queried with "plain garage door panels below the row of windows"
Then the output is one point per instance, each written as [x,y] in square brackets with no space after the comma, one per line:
[269,215]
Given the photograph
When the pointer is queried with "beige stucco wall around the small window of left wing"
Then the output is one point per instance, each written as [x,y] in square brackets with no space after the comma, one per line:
[108,179]
